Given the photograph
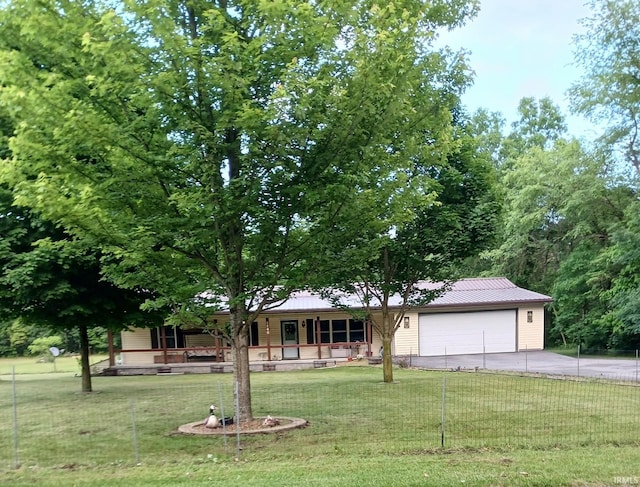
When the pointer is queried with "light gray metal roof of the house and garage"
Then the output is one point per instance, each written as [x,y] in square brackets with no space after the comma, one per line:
[465,292]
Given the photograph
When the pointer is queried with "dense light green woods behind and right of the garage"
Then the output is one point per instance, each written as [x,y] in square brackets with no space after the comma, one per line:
[567,231]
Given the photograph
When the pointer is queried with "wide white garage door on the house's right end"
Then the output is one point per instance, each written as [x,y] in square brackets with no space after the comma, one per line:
[462,333]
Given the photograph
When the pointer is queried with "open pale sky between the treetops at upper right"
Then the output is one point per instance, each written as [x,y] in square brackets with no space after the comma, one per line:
[522,48]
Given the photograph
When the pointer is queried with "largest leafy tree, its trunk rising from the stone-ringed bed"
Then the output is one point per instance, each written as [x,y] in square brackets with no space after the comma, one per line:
[204,143]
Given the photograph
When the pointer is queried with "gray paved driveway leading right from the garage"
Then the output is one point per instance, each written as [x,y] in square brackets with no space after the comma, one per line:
[540,362]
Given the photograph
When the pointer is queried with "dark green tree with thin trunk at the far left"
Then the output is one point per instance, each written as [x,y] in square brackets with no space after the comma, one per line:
[49,279]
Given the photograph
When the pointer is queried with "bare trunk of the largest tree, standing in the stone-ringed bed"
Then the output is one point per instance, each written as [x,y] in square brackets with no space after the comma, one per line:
[240,343]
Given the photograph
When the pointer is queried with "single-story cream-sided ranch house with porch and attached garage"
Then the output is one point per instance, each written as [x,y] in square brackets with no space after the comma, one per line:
[482,315]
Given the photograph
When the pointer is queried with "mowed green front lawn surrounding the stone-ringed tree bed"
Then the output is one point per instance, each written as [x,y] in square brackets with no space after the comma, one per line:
[499,430]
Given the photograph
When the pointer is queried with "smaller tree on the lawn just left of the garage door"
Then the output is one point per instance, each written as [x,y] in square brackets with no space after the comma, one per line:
[415,223]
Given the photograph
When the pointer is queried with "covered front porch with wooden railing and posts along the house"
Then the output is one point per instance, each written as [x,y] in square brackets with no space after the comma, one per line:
[272,340]
